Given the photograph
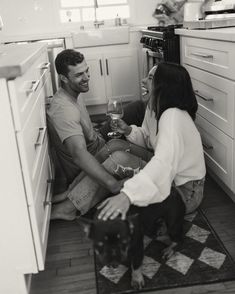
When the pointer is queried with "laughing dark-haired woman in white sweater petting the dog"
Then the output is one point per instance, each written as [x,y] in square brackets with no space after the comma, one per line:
[169,130]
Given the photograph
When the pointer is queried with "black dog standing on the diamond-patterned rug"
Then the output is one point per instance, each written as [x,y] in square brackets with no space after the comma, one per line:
[117,241]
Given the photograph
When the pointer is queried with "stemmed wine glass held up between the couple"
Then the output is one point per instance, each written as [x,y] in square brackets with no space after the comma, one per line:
[115,111]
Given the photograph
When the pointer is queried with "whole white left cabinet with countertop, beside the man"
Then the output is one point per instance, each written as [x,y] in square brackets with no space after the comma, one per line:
[26,170]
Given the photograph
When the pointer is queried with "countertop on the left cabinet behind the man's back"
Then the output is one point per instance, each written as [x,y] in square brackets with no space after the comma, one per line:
[16,59]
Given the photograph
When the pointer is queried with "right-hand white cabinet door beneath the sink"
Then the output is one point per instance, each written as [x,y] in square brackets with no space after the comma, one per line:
[122,75]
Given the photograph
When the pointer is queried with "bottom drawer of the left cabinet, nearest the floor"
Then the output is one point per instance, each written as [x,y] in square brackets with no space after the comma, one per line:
[40,210]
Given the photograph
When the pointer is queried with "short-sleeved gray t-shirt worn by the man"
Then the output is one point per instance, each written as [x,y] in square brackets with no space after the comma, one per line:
[71,118]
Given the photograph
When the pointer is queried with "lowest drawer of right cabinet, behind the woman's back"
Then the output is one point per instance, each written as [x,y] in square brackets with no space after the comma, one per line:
[218,150]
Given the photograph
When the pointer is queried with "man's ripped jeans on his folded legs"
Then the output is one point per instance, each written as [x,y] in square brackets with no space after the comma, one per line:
[120,161]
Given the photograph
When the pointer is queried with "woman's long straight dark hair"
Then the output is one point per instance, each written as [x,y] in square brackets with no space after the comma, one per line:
[172,87]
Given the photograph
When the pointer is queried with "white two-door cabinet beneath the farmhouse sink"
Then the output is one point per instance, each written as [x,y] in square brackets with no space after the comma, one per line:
[114,73]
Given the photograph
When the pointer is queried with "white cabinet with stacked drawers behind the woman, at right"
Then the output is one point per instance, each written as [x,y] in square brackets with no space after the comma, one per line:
[211,65]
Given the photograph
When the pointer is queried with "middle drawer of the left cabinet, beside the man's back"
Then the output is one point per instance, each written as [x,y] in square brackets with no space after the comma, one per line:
[32,142]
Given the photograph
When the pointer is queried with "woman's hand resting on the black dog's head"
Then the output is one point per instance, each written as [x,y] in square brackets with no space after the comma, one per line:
[113,206]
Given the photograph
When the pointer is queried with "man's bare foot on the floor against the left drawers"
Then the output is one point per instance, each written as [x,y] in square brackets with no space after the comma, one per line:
[64,210]
